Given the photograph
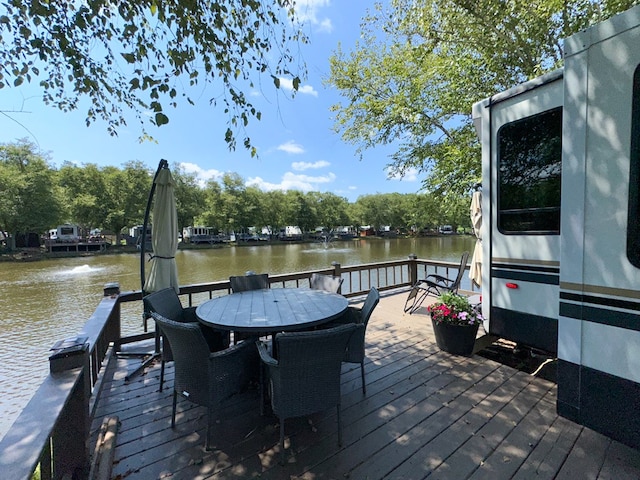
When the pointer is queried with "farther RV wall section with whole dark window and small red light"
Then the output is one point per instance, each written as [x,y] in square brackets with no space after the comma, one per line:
[520,233]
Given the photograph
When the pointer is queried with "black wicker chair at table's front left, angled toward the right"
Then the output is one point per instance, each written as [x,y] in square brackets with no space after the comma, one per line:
[203,377]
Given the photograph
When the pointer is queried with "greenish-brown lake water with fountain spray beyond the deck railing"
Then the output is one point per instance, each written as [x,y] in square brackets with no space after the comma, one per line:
[43,301]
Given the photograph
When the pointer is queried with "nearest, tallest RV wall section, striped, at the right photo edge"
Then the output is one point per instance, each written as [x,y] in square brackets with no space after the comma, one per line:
[599,322]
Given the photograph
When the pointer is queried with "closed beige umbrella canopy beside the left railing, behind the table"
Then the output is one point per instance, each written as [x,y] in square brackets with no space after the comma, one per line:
[164,236]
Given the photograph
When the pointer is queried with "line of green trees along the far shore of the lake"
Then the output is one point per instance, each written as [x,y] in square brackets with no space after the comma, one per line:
[36,197]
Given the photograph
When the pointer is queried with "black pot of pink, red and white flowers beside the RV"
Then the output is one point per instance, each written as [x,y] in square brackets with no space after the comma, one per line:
[455,323]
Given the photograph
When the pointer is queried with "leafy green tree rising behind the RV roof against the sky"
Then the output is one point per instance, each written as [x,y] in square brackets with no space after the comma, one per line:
[420,65]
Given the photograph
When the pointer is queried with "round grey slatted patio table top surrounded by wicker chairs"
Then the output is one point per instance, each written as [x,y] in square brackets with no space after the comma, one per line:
[271,310]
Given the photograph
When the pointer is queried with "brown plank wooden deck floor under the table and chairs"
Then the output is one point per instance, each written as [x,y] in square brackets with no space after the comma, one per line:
[427,414]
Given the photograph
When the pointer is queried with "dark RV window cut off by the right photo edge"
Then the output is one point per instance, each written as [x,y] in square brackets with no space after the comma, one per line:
[633,220]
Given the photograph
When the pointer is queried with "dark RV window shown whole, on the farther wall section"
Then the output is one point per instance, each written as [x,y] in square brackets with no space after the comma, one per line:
[529,168]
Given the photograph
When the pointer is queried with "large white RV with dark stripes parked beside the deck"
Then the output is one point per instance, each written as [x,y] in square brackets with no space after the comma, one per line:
[561,222]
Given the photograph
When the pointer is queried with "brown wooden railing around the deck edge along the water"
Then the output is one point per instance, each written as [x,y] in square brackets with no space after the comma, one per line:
[52,431]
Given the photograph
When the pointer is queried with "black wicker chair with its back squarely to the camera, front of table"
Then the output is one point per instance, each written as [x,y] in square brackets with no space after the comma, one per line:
[305,378]
